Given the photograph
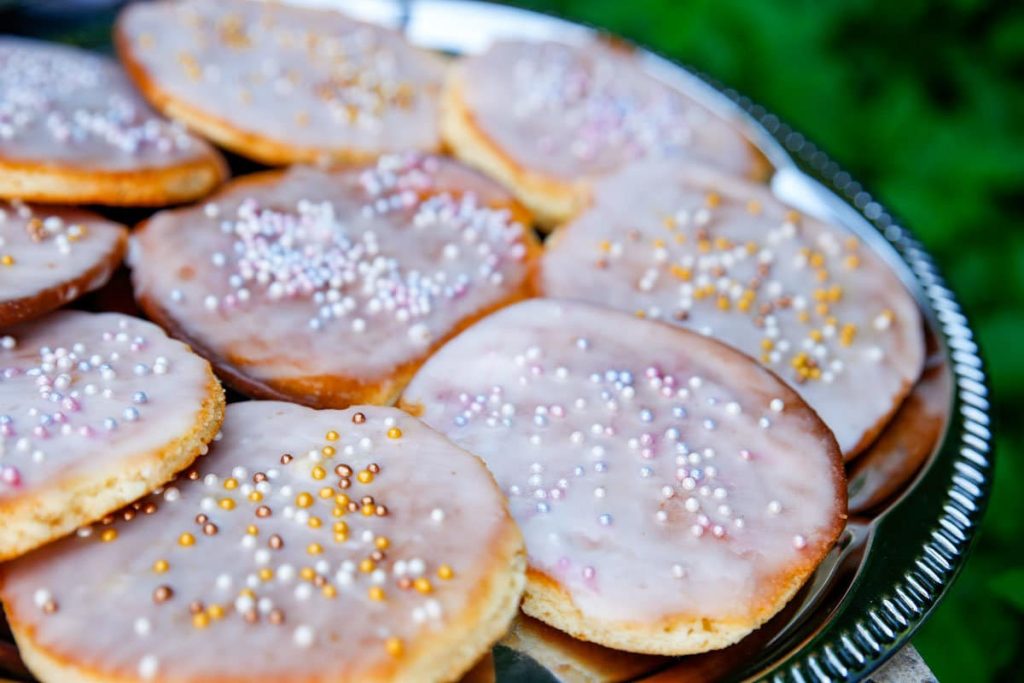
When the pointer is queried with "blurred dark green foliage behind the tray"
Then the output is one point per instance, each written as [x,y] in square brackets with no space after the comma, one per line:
[924,104]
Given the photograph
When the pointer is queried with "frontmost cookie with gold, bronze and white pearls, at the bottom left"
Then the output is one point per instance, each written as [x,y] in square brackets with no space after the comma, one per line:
[322,545]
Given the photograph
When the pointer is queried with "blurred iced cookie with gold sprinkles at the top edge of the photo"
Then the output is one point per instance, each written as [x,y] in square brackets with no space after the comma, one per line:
[283,84]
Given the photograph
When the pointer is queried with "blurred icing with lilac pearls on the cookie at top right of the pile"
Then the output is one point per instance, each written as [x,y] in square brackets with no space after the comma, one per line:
[579,112]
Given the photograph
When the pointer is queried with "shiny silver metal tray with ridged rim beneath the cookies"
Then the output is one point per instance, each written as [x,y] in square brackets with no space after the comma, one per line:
[917,496]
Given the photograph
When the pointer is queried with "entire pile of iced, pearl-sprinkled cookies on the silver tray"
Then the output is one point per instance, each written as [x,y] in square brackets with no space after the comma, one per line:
[634,431]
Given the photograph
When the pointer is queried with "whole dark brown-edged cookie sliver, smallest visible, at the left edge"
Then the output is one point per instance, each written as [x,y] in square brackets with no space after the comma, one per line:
[51,257]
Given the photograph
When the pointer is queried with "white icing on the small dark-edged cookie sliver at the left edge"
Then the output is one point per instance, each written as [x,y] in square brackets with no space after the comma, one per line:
[41,248]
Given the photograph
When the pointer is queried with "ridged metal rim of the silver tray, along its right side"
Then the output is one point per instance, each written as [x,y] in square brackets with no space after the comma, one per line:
[854,654]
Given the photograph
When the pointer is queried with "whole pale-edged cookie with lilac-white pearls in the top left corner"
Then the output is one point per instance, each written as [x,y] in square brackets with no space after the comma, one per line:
[73,131]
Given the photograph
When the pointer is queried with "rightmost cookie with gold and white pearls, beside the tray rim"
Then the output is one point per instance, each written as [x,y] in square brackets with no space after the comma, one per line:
[714,254]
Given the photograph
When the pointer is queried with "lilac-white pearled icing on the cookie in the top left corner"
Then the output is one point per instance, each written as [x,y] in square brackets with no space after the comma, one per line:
[63,106]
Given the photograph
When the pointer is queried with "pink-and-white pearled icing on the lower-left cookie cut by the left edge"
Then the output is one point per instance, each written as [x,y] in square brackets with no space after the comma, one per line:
[81,394]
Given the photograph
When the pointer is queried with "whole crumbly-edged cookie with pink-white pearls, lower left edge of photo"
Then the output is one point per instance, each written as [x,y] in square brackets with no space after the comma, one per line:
[97,410]
